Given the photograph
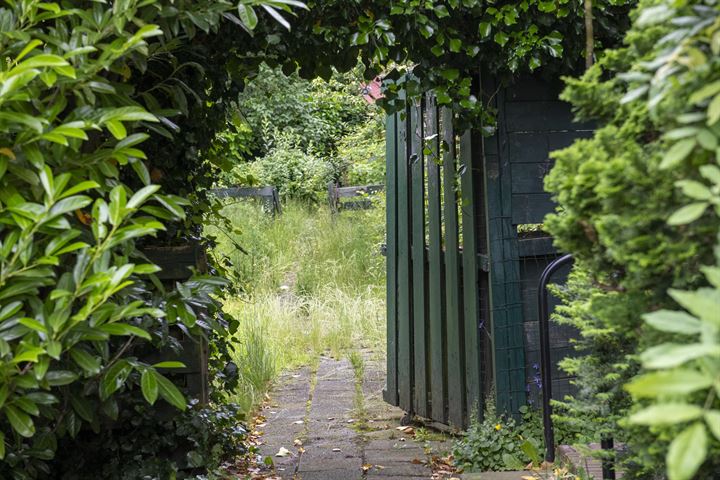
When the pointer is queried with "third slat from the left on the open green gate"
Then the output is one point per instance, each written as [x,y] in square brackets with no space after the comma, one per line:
[420,353]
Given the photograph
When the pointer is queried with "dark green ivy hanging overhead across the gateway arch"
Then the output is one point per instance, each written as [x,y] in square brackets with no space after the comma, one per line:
[445,42]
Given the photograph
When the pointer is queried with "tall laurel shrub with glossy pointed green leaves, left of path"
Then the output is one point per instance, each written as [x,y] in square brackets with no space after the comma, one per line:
[81,312]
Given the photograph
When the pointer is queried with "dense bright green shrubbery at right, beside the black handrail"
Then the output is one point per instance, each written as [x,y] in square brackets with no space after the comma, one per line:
[625,216]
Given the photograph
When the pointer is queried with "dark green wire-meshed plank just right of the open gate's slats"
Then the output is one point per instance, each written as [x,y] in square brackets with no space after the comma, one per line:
[505,288]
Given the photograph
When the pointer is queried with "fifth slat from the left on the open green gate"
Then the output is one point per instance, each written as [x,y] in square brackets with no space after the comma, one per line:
[455,350]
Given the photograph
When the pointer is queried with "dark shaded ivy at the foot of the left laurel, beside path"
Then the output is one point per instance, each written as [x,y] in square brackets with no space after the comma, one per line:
[145,444]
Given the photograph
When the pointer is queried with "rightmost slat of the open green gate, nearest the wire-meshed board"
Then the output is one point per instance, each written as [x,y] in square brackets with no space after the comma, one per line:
[470,158]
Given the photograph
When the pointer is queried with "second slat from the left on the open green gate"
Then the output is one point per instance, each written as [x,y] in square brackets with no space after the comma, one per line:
[404,307]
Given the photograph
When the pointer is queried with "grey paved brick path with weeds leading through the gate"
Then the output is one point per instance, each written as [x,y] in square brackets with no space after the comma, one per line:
[330,423]
